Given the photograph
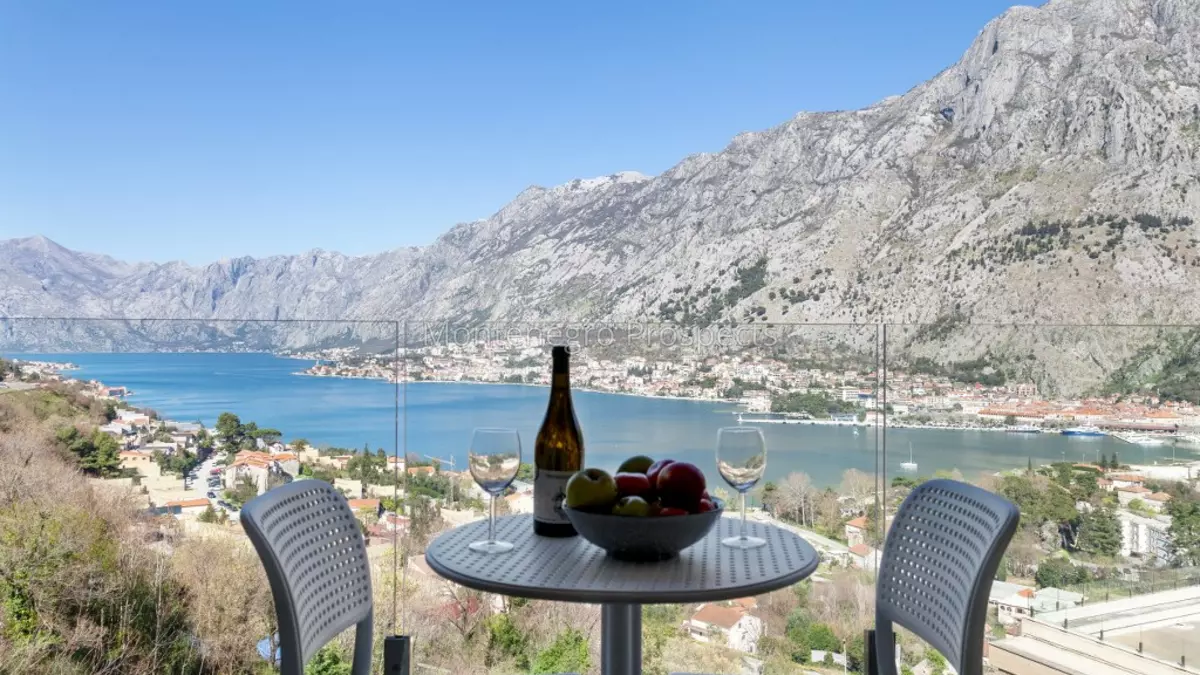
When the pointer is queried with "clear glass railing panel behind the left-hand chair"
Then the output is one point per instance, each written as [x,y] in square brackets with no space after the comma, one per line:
[127,450]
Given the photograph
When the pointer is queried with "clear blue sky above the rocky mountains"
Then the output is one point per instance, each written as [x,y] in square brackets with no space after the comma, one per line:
[153,130]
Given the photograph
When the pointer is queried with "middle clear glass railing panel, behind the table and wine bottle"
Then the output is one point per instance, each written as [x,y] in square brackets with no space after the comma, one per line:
[664,391]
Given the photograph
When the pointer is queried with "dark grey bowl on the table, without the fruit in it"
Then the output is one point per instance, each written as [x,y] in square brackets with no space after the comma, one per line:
[651,539]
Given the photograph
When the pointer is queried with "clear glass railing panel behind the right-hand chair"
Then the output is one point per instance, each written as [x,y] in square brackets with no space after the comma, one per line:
[1093,433]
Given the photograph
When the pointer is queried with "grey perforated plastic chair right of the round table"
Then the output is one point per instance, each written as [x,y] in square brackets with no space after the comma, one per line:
[939,561]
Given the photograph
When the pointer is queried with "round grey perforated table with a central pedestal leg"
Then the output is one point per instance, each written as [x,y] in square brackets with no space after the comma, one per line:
[573,570]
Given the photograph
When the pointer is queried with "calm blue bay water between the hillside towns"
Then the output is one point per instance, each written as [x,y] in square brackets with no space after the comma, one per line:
[437,419]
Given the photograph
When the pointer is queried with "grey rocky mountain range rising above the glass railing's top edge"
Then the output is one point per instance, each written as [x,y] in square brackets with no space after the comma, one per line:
[1052,176]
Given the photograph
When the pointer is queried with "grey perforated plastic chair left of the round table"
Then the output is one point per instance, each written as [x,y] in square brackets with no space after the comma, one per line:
[310,543]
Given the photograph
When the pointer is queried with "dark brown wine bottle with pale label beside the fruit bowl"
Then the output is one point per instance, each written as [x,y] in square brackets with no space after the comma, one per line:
[559,453]
